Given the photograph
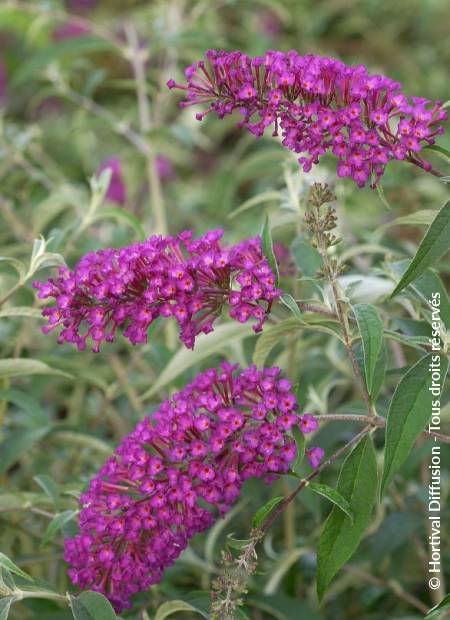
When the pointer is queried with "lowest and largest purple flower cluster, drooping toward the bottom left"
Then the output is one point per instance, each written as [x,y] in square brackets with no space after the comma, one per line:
[165,480]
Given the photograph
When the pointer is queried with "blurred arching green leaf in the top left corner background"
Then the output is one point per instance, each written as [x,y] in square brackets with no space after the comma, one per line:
[58,51]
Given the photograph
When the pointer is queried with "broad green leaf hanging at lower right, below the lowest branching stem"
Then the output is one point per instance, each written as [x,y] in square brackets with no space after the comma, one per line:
[340,537]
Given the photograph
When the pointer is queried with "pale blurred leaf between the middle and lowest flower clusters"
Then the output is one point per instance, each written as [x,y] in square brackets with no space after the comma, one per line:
[206,345]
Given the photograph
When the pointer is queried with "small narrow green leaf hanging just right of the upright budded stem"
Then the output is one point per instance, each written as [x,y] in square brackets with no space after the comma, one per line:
[371,329]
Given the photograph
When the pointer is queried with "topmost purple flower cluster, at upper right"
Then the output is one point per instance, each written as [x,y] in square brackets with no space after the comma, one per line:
[319,105]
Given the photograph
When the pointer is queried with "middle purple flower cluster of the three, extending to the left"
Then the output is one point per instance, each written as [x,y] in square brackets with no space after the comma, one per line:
[181,277]
